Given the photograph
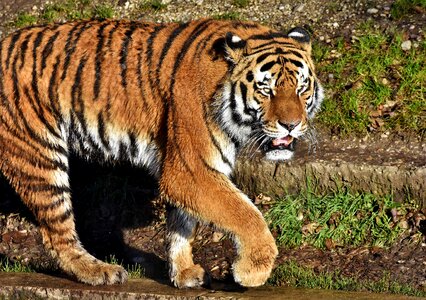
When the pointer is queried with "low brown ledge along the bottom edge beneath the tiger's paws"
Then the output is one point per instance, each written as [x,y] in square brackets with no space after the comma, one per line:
[40,286]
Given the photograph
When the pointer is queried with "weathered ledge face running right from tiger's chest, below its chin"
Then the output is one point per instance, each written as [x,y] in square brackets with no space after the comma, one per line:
[277,179]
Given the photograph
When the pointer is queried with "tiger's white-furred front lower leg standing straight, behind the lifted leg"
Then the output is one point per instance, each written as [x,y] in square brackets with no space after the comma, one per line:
[181,232]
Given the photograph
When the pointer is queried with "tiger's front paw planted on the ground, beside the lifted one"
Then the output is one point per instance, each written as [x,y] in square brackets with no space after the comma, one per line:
[192,277]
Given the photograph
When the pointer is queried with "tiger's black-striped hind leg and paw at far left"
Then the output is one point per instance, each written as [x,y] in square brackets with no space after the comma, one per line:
[40,176]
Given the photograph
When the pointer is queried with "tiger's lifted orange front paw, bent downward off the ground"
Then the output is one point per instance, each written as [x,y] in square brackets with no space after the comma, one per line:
[253,268]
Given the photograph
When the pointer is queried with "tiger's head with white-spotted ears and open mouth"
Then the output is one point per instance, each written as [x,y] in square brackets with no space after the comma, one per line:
[271,90]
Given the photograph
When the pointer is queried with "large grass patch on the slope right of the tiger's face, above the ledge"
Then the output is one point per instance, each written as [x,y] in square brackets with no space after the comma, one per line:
[376,85]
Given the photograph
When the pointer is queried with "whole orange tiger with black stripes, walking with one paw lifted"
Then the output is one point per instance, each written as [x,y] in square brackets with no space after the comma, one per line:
[179,99]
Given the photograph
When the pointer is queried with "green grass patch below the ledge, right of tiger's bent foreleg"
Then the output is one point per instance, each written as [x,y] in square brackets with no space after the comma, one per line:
[339,219]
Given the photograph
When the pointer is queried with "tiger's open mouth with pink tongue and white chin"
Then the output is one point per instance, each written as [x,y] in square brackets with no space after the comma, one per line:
[280,148]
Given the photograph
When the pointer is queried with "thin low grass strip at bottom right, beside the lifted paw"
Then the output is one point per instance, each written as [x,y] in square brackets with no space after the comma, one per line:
[291,274]
